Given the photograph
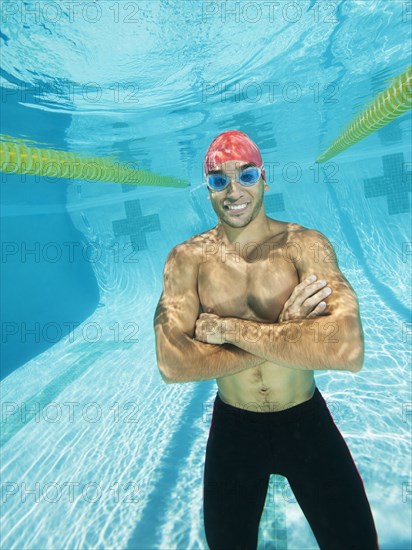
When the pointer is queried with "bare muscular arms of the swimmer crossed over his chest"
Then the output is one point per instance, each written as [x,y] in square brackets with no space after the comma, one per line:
[192,348]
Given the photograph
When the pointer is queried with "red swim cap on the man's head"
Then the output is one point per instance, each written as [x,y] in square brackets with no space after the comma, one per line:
[232,145]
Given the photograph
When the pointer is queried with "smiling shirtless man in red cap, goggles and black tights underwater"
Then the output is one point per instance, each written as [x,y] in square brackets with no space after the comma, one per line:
[239,305]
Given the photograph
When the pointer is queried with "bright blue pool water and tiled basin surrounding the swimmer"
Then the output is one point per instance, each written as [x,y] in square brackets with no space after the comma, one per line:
[97,452]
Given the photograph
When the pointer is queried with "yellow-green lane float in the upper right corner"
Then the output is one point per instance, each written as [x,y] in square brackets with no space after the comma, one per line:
[389,104]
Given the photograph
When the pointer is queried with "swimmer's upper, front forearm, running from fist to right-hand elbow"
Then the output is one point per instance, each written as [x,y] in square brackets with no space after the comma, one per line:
[307,344]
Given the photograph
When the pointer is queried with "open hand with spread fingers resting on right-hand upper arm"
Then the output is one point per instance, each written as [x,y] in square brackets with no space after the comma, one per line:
[305,302]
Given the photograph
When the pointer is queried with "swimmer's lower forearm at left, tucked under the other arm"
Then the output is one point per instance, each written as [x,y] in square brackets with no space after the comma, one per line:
[191,360]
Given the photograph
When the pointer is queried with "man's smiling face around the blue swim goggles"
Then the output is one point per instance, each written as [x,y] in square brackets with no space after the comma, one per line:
[227,203]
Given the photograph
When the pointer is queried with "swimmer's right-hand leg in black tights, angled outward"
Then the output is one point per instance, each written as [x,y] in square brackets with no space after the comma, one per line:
[328,487]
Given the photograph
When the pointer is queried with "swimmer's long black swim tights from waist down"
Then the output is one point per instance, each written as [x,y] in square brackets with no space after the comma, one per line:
[301,443]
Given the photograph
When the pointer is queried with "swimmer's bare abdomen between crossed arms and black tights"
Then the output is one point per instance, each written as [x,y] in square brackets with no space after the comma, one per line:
[266,388]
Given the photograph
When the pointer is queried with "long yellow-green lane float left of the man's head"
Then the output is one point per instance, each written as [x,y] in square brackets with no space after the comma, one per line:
[17,158]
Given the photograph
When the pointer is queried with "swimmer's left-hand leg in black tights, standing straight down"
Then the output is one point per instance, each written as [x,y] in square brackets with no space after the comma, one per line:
[236,478]
